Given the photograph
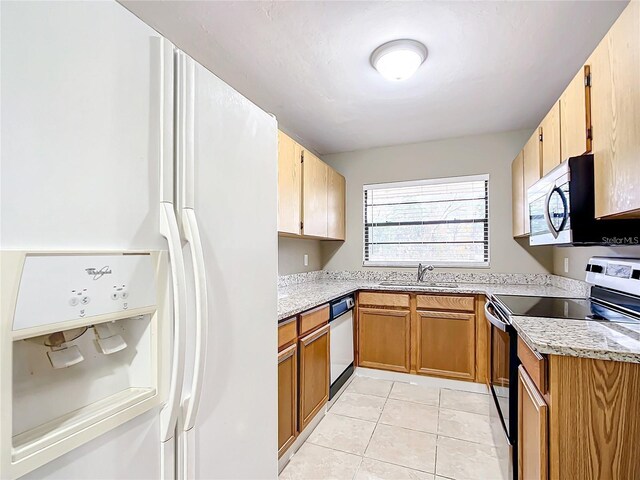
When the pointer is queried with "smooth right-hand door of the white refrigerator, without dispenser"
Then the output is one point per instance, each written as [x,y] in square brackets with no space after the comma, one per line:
[235,200]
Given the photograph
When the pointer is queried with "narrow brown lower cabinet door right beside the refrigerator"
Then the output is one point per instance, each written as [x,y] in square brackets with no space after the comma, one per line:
[287,398]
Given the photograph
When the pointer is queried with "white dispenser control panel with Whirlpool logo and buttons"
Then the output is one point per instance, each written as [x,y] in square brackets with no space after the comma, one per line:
[59,288]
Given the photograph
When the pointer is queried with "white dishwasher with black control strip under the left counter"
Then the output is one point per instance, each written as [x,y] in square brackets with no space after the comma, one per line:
[341,342]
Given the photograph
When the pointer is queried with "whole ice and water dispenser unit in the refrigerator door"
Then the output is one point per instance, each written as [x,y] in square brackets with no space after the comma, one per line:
[83,337]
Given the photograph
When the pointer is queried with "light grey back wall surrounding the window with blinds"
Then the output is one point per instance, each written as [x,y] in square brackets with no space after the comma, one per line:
[480,154]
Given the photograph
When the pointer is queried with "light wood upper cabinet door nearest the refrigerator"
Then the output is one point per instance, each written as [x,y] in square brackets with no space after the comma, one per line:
[289,184]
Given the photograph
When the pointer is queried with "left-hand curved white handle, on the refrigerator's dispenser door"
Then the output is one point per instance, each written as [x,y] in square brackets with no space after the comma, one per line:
[169,229]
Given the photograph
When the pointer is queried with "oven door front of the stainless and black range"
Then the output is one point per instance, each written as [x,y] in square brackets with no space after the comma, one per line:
[503,385]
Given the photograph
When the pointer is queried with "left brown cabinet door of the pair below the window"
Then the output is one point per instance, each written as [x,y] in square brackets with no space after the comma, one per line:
[384,339]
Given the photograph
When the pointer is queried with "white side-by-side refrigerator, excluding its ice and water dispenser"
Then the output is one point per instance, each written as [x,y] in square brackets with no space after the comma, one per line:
[113,140]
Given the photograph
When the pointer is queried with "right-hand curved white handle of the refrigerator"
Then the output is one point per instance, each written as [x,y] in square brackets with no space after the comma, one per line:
[192,234]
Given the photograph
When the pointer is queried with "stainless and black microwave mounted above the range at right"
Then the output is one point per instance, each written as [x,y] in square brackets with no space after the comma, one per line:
[562,209]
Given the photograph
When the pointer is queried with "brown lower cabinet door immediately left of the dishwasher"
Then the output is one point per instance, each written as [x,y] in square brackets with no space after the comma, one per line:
[314,374]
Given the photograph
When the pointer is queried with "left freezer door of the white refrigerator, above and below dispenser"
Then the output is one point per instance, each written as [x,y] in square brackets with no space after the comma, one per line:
[80,167]
